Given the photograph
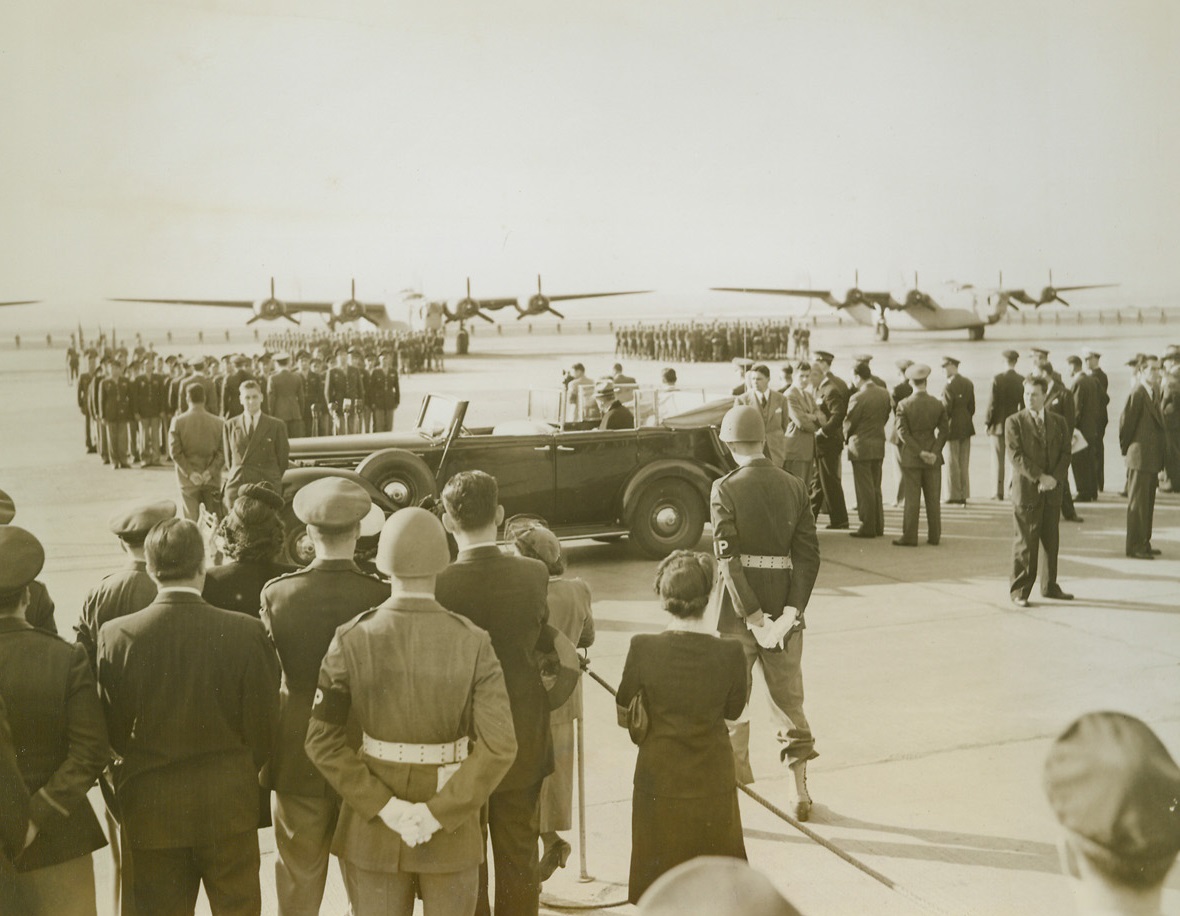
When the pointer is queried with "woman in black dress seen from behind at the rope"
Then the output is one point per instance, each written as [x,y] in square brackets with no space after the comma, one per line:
[685,802]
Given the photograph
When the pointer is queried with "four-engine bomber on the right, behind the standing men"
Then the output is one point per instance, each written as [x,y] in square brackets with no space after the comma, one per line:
[973,310]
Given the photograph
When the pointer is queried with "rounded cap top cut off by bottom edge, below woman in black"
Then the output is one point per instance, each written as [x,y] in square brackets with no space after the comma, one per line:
[714,885]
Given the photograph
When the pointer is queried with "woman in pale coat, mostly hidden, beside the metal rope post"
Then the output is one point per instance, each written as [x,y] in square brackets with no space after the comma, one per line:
[569,612]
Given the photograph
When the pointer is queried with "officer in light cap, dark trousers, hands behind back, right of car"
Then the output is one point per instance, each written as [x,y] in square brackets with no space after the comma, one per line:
[922,431]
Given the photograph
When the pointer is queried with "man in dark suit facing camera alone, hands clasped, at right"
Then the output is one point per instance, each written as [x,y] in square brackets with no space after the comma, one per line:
[1038,442]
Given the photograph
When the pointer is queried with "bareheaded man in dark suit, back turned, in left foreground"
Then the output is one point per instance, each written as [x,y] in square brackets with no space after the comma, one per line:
[192,699]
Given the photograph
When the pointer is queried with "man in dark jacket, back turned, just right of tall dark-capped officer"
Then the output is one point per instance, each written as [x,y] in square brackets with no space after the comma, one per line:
[864,428]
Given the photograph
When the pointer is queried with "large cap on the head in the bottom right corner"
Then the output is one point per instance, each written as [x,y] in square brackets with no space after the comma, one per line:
[1112,782]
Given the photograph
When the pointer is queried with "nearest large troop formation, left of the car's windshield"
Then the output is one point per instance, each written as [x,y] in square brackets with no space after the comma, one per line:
[128,400]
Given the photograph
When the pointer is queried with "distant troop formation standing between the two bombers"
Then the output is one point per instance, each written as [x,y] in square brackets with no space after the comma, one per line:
[719,342]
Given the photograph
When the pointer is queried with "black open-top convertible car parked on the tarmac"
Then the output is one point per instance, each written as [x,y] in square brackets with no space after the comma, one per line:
[651,483]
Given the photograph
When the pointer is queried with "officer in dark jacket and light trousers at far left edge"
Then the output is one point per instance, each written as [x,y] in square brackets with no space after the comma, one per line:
[48,689]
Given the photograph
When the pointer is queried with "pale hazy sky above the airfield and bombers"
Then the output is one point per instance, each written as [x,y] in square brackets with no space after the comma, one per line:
[196,149]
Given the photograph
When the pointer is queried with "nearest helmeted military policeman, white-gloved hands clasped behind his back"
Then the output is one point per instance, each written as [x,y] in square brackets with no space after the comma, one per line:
[422,683]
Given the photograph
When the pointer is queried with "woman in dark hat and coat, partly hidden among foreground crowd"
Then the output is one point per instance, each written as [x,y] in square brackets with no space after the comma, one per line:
[252,535]
